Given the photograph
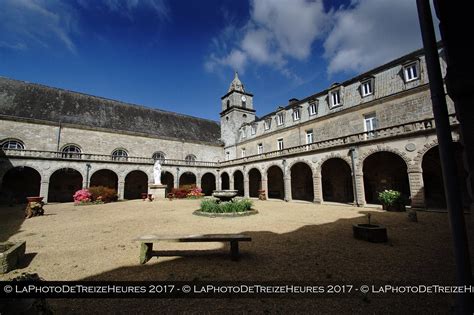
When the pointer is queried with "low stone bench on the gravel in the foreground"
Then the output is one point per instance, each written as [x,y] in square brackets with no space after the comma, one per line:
[146,246]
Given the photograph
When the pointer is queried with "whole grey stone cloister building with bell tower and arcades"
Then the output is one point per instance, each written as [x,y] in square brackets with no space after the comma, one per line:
[344,144]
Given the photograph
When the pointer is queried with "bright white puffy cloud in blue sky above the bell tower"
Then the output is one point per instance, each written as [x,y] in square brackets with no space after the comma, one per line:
[278,30]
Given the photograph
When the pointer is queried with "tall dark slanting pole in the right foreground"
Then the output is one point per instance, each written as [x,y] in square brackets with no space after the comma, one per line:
[448,164]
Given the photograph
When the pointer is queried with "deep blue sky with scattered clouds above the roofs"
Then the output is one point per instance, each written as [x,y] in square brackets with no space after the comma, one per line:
[180,56]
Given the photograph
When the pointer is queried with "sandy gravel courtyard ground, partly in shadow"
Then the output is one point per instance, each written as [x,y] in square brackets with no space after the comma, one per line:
[291,242]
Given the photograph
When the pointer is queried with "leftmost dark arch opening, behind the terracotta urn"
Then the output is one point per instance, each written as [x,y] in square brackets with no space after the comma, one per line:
[20,182]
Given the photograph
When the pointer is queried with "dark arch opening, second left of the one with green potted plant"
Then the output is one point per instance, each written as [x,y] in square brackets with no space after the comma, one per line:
[302,181]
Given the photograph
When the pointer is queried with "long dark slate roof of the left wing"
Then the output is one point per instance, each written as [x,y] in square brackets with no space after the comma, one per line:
[38,102]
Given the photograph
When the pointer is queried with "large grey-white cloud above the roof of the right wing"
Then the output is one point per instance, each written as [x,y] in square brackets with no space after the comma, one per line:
[371,32]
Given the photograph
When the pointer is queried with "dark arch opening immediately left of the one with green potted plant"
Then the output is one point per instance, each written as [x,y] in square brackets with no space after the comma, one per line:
[336,180]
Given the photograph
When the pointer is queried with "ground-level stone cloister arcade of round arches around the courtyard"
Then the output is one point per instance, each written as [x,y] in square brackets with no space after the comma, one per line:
[318,177]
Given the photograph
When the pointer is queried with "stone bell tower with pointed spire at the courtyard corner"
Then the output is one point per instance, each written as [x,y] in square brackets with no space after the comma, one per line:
[237,109]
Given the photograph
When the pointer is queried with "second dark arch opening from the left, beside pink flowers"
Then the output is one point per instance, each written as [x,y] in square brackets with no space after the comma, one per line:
[63,183]
